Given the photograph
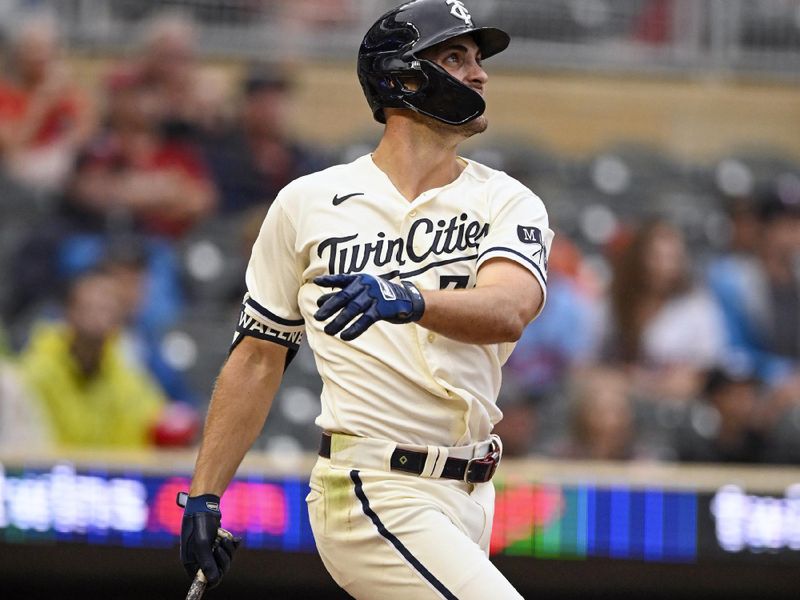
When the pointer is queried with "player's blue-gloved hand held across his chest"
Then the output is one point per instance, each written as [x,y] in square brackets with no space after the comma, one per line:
[367,299]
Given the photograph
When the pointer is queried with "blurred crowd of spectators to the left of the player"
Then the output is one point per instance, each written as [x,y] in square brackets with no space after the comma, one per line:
[120,175]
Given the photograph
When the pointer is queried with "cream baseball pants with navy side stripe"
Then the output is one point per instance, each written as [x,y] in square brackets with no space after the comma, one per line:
[384,535]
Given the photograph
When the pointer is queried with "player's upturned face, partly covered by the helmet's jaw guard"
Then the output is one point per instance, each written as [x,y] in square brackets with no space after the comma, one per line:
[461,58]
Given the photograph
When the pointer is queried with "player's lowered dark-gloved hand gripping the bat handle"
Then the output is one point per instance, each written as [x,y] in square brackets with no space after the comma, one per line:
[201,547]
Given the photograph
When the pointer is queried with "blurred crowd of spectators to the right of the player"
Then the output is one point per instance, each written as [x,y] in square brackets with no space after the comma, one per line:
[668,360]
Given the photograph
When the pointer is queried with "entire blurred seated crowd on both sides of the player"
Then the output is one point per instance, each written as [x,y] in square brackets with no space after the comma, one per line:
[647,349]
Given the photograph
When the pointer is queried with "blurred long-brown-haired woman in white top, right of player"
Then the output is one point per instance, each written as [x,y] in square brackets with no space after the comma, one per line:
[660,323]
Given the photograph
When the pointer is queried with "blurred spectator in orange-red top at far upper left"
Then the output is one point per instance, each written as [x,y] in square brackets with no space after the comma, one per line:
[44,116]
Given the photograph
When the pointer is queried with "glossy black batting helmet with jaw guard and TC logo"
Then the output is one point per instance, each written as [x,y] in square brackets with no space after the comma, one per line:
[389,55]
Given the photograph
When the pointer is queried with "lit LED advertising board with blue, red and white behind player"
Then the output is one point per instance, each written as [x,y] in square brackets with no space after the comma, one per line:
[130,508]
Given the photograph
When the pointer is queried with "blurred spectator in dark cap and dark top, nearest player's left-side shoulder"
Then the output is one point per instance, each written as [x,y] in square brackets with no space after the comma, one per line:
[255,158]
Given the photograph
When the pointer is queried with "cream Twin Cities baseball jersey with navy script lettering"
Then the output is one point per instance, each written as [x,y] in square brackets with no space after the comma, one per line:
[395,382]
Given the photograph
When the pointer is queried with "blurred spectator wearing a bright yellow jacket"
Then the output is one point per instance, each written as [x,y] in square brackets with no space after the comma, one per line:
[91,395]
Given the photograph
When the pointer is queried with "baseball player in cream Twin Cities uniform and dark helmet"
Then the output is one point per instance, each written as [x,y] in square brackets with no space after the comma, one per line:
[411,272]
